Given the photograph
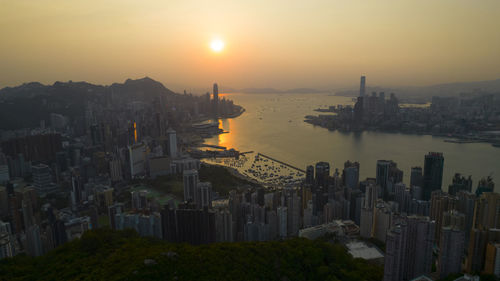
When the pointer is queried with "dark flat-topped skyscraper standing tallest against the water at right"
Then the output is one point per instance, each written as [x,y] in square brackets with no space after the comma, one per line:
[433,173]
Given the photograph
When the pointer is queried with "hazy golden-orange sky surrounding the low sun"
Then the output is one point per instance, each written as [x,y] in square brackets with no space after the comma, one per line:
[269,43]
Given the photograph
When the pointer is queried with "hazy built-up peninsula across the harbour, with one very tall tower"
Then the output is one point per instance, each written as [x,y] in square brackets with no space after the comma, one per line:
[465,118]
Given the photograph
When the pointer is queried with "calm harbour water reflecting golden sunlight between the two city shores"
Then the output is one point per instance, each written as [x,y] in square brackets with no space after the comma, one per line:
[273,124]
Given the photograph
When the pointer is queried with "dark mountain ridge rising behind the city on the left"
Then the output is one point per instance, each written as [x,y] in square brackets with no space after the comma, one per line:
[25,105]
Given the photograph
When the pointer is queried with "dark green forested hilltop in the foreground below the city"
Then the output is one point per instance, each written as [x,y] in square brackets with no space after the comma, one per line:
[123,255]
